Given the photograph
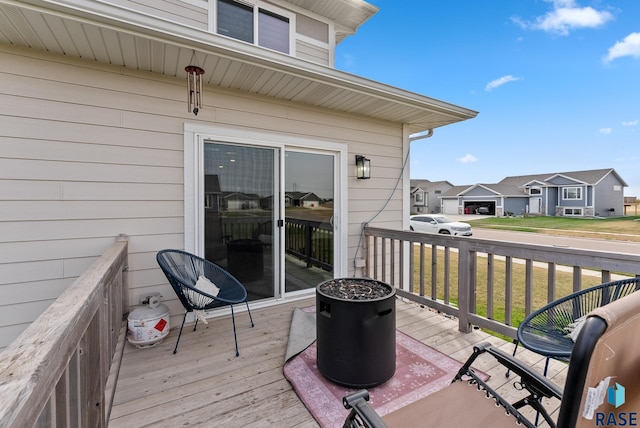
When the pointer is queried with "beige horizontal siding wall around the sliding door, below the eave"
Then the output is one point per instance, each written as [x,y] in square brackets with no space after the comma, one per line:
[89,151]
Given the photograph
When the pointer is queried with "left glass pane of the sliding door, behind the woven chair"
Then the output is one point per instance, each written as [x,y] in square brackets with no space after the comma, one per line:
[239,189]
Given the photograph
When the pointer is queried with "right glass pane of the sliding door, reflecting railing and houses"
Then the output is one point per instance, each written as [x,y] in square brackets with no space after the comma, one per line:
[309,214]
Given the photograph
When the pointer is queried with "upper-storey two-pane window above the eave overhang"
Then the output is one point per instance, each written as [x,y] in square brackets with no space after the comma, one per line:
[243,21]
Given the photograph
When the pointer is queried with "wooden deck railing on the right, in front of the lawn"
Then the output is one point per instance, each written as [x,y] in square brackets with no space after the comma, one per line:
[448,273]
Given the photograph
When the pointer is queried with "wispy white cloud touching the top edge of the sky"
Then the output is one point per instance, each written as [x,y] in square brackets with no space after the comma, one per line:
[566,16]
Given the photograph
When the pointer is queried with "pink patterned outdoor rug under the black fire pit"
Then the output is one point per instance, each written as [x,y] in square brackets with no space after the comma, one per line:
[420,371]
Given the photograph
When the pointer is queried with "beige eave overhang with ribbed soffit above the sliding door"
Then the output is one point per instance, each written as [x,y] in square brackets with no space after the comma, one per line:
[109,34]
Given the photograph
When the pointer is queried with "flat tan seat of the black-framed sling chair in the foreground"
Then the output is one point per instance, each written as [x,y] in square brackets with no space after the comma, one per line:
[458,405]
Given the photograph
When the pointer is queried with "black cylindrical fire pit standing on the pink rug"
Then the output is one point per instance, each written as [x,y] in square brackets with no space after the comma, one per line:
[356,331]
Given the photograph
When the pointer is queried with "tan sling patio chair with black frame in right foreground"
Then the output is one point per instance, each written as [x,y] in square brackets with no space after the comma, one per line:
[603,366]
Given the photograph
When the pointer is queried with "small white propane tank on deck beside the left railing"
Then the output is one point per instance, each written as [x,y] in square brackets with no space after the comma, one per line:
[148,325]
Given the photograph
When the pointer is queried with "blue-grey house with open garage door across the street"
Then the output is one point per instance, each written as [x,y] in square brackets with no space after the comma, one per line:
[590,193]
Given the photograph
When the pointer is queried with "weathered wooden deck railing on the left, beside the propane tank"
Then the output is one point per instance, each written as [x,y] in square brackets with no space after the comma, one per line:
[61,370]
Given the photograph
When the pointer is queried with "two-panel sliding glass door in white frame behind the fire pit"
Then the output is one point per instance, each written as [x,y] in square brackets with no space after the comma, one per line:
[269,216]
